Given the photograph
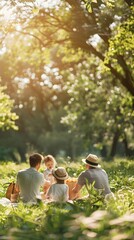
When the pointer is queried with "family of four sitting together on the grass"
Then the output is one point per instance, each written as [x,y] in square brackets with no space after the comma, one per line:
[54,181]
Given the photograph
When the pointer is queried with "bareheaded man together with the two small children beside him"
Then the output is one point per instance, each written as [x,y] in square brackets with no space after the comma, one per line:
[29,181]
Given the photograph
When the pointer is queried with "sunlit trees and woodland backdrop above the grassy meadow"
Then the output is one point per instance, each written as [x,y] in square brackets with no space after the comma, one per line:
[67,68]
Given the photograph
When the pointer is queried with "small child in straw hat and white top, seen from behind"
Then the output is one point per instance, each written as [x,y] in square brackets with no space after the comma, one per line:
[59,191]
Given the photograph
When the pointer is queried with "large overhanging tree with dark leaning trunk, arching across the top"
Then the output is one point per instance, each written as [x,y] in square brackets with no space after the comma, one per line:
[78,22]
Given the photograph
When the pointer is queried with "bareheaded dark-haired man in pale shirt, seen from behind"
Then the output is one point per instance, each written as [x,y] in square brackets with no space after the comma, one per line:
[30,180]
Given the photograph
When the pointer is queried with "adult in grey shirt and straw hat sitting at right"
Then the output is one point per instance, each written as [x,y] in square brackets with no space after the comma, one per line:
[93,174]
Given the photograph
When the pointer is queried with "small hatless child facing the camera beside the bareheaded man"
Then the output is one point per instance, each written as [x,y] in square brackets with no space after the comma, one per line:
[50,164]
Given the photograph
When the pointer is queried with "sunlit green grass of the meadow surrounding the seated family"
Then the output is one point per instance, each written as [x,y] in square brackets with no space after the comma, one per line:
[88,218]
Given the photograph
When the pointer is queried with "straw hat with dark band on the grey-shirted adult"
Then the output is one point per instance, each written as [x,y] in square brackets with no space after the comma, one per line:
[92,160]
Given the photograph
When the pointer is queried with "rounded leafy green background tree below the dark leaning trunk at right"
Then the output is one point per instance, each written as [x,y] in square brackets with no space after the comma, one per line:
[97,111]
